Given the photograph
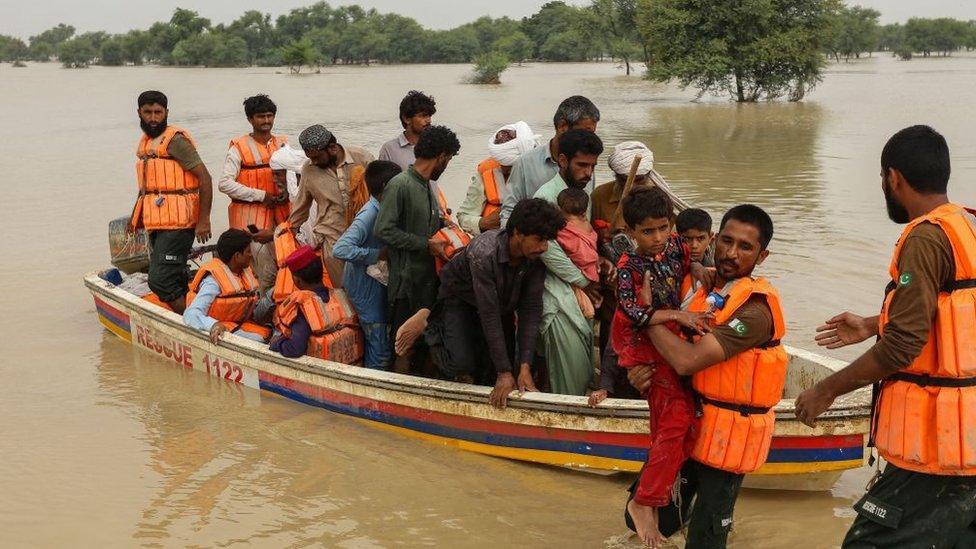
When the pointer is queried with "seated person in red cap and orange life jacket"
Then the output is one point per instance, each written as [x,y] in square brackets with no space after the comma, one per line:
[315,320]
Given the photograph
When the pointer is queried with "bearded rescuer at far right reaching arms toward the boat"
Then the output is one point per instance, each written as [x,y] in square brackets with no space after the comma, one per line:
[923,363]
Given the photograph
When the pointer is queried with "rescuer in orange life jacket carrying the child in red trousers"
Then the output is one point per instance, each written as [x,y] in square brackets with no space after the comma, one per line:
[737,420]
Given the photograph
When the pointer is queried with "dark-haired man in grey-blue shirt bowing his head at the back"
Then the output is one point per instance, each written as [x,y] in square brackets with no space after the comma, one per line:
[536,167]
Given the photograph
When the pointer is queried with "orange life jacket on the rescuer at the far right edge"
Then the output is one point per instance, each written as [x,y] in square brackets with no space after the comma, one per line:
[926,413]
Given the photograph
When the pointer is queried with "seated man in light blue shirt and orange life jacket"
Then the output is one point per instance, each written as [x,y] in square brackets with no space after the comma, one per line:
[224,291]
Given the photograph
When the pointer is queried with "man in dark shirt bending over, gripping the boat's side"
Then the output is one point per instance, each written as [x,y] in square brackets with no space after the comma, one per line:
[472,330]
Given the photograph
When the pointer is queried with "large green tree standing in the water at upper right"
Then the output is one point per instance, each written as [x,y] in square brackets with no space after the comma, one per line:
[748,49]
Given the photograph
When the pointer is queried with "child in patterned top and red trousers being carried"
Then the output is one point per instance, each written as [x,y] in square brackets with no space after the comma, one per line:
[660,262]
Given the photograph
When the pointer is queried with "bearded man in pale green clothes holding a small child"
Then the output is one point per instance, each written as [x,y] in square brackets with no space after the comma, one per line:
[567,335]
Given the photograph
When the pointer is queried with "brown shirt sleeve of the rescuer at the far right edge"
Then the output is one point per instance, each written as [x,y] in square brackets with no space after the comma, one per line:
[925,265]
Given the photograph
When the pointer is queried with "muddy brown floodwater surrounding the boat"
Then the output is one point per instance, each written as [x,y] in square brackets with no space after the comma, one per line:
[101,445]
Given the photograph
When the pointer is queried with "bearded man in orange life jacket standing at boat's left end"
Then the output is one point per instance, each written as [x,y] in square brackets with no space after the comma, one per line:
[175,192]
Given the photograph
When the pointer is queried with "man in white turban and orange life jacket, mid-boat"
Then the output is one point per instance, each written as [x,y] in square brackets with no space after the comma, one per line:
[481,210]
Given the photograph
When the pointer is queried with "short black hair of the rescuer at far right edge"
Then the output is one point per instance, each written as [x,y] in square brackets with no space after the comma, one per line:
[921,154]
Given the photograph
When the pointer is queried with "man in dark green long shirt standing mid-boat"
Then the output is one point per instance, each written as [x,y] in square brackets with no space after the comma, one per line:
[408,218]
